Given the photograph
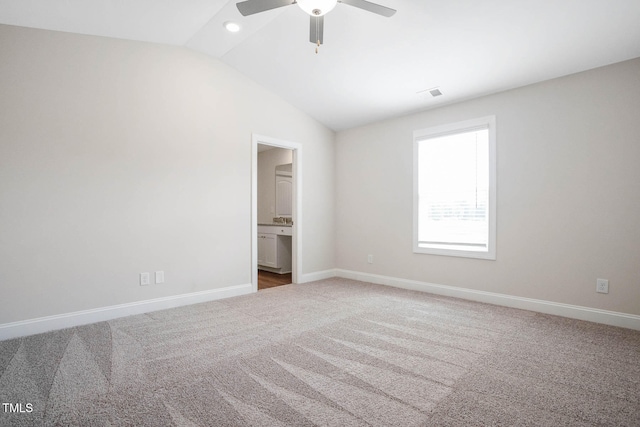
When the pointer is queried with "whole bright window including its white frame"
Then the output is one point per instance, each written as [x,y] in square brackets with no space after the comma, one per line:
[454,207]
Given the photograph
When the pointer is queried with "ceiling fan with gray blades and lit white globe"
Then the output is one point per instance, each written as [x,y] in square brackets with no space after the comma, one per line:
[316,8]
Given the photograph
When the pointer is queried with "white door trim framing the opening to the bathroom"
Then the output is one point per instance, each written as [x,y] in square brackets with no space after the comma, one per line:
[296,264]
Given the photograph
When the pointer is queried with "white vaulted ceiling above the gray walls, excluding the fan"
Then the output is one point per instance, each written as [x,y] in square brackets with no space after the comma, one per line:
[370,67]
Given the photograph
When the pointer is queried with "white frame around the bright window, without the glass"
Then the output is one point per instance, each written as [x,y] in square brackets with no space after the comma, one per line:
[448,129]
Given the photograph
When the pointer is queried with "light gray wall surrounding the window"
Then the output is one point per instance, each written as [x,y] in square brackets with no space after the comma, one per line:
[568,164]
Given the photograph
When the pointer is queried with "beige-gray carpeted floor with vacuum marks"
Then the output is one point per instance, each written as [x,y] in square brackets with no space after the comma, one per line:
[330,353]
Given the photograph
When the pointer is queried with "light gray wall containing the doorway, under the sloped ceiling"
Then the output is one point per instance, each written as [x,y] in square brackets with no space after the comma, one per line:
[119,157]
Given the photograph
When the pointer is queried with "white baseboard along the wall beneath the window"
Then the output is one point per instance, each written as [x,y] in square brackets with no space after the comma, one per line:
[612,318]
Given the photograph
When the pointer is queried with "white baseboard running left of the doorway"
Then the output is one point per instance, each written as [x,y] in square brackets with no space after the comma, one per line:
[84,317]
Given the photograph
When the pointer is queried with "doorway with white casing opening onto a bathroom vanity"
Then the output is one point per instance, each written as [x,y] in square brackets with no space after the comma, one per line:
[276,212]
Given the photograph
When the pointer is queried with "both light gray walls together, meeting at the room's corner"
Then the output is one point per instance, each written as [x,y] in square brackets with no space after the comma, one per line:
[118,157]
